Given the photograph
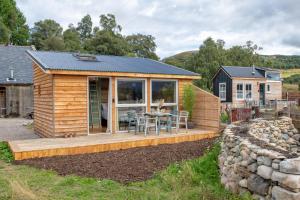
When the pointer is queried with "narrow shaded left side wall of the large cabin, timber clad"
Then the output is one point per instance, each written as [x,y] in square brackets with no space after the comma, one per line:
[43,102]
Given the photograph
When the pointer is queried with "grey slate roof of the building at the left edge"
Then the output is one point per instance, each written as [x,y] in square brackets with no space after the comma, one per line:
[15,58]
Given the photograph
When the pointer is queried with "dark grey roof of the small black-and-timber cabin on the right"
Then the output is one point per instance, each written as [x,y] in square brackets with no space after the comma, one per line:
[243,72]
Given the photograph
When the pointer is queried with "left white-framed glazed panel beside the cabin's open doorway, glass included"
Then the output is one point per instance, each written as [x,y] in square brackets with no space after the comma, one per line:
[131,97]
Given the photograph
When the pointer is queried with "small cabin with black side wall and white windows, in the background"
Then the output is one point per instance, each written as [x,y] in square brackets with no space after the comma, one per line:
[238,86]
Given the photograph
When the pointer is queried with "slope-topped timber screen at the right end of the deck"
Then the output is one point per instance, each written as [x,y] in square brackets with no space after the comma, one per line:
[206,113]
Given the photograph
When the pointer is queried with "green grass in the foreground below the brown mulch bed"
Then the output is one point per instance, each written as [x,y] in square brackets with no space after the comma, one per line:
[193,179]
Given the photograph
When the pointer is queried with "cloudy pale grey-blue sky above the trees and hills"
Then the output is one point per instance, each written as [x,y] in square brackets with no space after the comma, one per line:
[182,25]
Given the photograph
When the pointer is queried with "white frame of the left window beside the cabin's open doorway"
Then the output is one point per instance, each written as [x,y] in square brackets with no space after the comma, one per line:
[128,105]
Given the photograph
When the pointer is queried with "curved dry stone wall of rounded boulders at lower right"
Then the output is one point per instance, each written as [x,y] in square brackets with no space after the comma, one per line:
[262,157]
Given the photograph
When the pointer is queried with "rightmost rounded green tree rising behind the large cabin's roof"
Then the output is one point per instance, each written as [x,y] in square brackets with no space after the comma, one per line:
[142,45]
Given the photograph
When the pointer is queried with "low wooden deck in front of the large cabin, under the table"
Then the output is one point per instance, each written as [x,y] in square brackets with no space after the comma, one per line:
[46,147]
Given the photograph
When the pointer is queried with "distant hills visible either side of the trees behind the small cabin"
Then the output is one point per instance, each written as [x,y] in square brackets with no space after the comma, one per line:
[275,61]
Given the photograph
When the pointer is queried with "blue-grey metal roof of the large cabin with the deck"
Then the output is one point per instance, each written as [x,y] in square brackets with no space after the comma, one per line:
[67,61]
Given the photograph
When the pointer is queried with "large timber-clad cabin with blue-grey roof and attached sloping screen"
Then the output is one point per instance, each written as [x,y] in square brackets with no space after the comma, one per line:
[77,94]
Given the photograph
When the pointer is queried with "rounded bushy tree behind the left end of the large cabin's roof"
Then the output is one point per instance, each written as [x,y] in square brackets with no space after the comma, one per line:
[47,35]
